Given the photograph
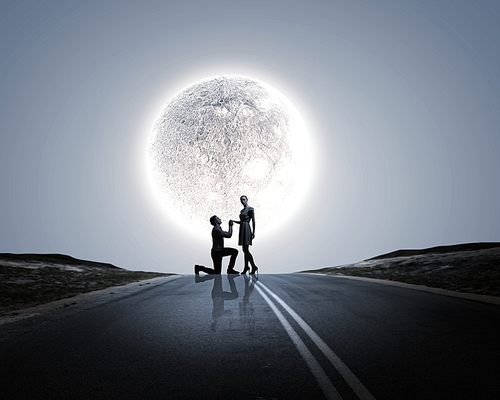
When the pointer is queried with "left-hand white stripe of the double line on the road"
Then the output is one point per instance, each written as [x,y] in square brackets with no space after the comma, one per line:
[324,382]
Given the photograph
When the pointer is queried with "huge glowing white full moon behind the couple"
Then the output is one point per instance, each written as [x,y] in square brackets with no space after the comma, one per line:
[223,137]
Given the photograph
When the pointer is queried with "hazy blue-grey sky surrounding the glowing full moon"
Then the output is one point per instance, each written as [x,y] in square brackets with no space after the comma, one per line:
[401,100]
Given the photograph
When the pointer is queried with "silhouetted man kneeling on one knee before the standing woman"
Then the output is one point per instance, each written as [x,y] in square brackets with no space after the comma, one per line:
[218,249]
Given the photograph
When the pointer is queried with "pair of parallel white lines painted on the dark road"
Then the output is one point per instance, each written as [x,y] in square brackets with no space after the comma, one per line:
[320,375]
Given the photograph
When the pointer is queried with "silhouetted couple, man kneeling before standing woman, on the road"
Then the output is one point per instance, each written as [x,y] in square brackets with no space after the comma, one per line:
[246,235]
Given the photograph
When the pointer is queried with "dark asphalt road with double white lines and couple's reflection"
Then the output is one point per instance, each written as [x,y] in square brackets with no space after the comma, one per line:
[282,337]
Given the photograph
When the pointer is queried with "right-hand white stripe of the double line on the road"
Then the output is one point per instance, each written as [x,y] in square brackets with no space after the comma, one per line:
[346,373]
